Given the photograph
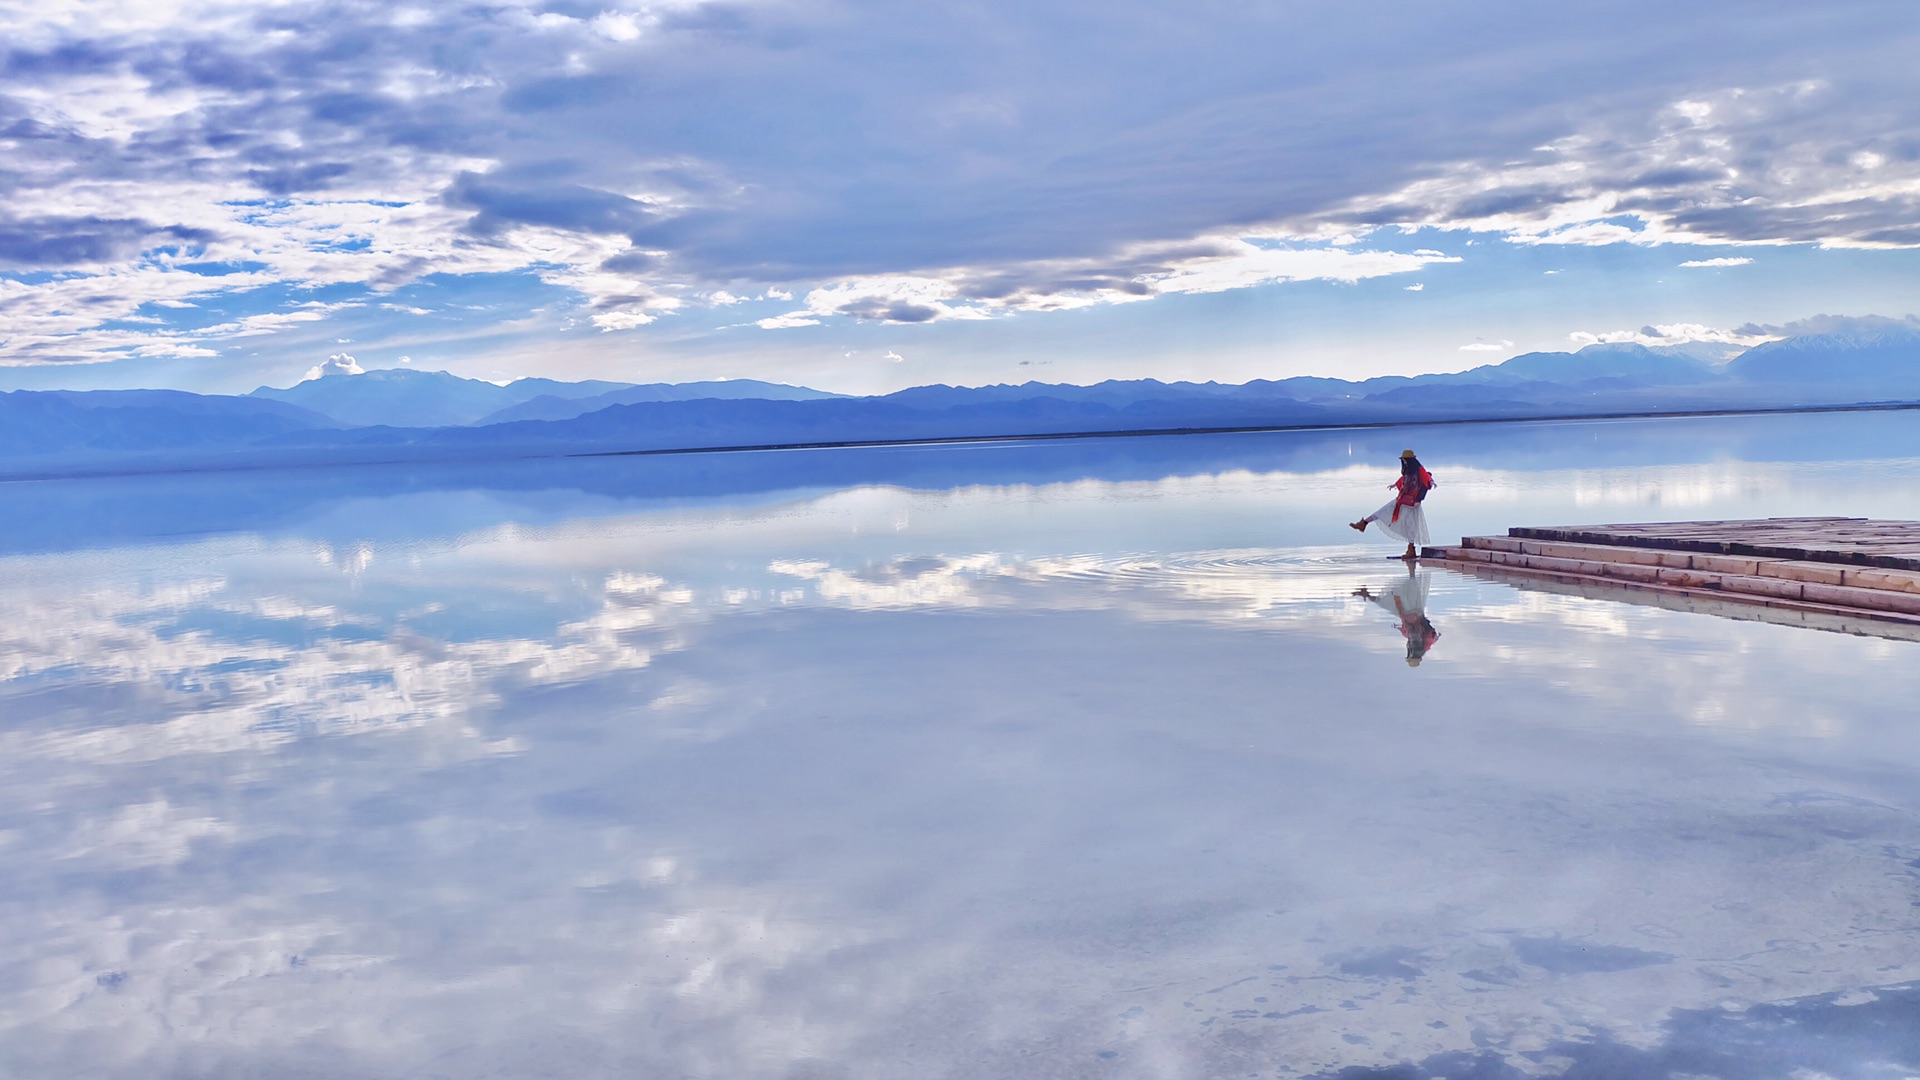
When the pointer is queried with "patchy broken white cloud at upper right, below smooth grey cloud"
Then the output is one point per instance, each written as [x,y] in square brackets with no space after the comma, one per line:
[1773,164]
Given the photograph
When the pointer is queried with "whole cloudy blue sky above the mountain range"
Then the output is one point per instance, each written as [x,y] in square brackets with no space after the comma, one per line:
[218,195]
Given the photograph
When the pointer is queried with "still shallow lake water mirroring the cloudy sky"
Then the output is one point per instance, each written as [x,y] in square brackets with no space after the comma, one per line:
[1068,760]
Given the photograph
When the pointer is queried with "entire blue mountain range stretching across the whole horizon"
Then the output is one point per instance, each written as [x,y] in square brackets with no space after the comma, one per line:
[433,414]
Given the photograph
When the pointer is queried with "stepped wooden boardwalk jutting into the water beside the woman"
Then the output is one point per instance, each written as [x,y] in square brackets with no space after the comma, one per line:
[1833,574]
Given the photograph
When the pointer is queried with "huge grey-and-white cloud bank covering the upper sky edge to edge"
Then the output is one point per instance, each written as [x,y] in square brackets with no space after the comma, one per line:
[654,159]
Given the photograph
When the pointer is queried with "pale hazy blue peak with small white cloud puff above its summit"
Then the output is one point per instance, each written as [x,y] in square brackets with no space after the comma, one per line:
[400,397]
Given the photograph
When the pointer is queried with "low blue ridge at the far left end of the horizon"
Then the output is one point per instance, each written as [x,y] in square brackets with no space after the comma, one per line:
[99,422]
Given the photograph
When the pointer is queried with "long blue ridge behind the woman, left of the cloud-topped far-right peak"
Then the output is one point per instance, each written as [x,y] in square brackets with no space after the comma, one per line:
[1596,380]
